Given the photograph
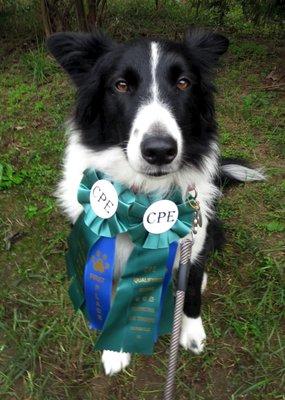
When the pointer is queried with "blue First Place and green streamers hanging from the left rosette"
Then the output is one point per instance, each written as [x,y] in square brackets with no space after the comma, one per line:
[90,266]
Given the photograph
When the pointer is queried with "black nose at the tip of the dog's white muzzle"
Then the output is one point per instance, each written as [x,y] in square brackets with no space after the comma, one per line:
[159,150]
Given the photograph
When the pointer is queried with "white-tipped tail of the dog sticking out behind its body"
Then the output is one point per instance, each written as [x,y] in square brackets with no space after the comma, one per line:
[233,171]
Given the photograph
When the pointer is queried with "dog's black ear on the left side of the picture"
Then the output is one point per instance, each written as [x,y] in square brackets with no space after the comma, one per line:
[77,53]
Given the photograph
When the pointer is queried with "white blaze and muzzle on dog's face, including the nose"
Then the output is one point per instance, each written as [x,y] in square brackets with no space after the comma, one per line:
[155,143]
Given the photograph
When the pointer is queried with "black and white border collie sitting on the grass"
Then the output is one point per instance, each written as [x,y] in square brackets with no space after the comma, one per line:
[145,115]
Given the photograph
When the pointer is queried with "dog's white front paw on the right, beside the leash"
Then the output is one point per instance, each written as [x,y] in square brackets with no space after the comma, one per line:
[192,334]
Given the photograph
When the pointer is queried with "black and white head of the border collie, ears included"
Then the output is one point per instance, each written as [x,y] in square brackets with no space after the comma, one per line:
[151,99]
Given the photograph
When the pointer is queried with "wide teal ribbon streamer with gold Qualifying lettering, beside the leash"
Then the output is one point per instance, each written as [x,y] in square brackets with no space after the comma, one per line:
[132,320]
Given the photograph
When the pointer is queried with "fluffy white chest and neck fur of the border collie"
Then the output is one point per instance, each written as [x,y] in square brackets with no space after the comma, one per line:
[112,161]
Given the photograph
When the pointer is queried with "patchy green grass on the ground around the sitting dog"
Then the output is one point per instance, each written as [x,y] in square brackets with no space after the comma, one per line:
[45,349]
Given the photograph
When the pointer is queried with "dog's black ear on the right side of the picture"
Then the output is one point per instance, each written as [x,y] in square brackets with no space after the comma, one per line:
[205,47]
